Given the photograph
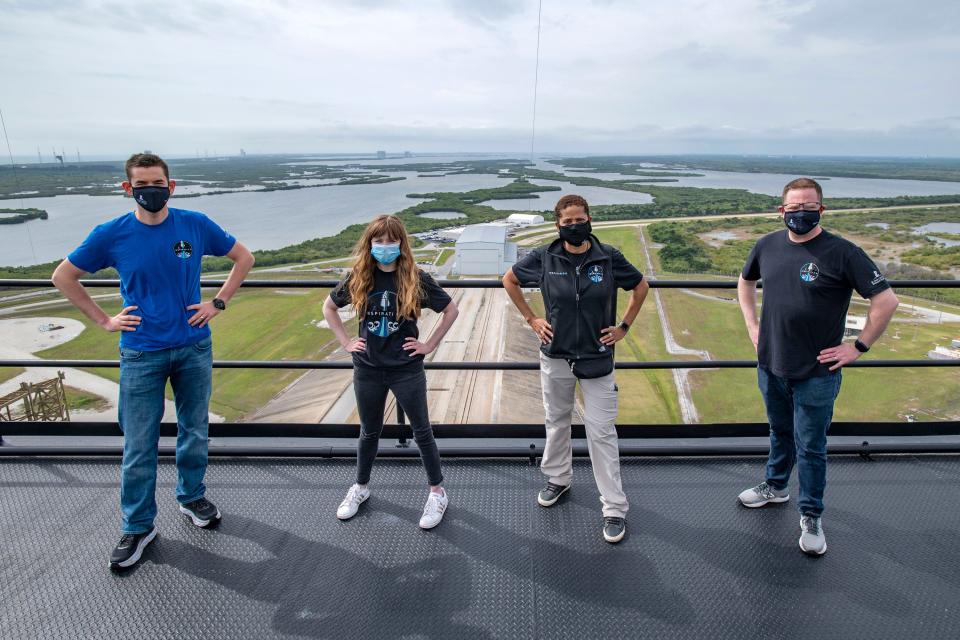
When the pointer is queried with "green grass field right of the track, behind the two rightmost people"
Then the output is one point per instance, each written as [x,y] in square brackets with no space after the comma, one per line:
[731,395]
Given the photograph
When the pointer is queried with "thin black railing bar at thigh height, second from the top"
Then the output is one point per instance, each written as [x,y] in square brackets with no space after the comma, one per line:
[478,366]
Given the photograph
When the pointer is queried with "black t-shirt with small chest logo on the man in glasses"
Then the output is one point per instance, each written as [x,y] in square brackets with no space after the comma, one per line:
[806,294]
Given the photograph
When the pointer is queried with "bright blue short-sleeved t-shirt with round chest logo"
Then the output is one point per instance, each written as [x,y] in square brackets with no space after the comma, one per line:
[159,268]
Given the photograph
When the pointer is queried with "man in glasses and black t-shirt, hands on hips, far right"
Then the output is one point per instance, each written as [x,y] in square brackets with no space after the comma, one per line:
[808,276]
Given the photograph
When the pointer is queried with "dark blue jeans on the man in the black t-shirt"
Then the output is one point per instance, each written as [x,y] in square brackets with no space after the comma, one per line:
[799,412]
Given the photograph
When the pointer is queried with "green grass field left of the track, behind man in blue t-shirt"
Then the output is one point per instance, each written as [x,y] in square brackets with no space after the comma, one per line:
[259,325]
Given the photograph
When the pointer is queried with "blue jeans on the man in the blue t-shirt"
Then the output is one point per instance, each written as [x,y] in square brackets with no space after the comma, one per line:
[143,378]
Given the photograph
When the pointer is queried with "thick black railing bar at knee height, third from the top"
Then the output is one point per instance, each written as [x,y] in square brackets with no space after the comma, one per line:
[481,430]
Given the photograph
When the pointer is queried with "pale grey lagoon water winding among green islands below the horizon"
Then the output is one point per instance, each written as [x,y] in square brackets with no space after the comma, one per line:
[273,219]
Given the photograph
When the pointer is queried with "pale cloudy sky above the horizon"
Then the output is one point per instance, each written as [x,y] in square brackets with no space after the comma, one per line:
[658,76]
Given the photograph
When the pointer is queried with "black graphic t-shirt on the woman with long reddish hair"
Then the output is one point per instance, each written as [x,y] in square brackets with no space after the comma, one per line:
[383,331]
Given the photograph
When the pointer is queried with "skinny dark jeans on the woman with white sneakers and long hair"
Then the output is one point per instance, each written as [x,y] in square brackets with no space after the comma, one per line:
[409,386]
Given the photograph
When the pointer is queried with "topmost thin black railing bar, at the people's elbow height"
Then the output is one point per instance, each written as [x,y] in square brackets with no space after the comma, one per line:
[460,284]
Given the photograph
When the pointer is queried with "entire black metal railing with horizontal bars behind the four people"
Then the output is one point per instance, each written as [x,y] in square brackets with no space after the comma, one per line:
[697,432]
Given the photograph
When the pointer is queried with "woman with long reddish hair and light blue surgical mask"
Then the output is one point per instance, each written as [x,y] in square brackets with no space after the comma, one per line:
[388,290]
